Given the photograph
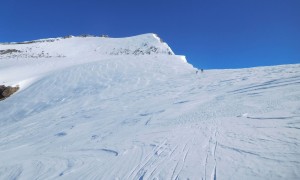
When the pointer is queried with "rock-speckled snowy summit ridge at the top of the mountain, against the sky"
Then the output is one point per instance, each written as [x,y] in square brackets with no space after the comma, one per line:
[146,44]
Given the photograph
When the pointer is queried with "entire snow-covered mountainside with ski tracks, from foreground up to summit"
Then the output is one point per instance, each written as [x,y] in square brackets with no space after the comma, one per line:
[128,108]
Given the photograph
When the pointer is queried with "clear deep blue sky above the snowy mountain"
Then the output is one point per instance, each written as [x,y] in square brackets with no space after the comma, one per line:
[211,33]
